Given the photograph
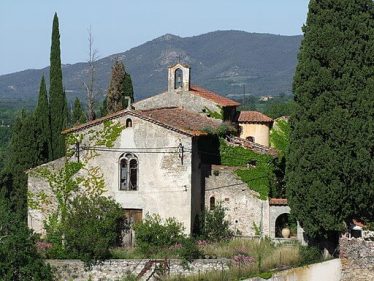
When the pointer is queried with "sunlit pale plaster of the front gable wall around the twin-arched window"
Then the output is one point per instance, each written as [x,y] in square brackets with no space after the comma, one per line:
[164,183]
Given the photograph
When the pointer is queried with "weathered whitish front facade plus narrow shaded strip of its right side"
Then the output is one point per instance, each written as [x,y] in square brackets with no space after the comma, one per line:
[166,176]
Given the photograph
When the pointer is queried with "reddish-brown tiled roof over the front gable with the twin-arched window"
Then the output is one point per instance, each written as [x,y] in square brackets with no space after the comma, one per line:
[173,118]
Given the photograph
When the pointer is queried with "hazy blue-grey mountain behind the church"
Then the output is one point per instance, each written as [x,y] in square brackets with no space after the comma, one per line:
[224,61]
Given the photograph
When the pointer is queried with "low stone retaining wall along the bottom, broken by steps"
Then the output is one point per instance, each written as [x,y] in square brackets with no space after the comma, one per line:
[113,270]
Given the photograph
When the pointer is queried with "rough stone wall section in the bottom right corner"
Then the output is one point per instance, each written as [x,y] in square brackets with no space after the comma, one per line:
[357,257]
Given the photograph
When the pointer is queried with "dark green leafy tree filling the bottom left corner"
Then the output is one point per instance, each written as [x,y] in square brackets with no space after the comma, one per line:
[19,259]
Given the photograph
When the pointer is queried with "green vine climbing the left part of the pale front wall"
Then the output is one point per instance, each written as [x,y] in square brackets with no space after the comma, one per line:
[71,179]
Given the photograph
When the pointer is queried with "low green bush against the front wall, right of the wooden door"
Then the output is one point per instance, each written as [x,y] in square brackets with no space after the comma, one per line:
[152,232]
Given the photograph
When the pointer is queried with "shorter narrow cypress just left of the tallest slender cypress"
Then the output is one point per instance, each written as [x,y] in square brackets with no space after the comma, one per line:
[43,126]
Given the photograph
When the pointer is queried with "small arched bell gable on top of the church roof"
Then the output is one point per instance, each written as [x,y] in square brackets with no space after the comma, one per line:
[178,78]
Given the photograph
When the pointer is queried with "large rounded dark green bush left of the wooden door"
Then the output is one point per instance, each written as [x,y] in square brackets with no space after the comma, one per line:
[91,228]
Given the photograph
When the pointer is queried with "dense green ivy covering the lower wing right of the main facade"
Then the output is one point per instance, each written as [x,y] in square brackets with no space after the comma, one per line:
[259,177]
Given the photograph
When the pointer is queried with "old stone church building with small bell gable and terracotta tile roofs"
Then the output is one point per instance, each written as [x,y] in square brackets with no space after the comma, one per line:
[148,158]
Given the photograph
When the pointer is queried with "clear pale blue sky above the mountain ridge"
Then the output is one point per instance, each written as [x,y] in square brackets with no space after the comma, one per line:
[119,25]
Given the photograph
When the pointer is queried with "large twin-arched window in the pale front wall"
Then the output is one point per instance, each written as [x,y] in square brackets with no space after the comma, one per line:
[128,172]
